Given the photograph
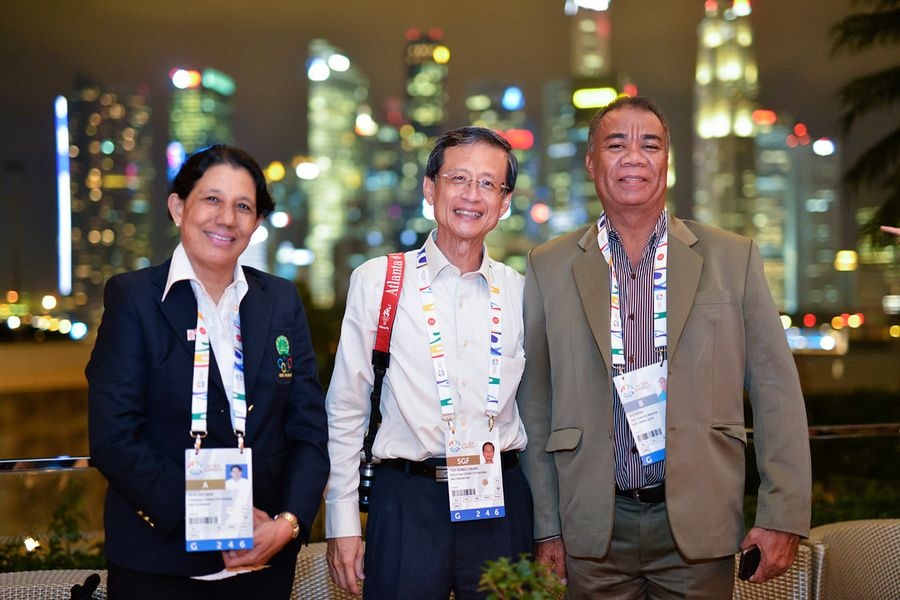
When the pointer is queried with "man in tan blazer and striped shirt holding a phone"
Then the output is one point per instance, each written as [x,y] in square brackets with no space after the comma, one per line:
[613,524]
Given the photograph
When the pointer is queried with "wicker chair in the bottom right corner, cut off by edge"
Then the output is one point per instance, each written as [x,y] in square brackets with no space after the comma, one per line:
[862,559]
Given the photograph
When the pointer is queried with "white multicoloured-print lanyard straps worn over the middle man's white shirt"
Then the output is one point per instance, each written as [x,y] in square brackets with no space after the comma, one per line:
[436,344]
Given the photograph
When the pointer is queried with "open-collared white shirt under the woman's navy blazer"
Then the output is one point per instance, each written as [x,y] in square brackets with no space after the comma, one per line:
[218,317]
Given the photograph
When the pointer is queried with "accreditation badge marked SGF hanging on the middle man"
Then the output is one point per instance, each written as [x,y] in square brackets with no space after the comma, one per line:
[474,472]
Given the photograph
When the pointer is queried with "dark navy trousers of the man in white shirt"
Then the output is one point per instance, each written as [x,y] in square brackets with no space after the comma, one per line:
[414,551]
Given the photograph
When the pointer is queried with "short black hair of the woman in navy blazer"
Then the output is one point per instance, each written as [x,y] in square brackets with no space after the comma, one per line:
[197,164]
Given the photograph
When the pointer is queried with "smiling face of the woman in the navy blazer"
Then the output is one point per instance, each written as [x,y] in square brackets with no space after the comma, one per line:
[216,220]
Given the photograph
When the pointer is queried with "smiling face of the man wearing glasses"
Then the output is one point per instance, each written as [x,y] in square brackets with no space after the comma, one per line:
[466,213]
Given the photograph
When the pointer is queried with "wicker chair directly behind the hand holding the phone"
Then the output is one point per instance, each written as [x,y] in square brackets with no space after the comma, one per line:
[802,581]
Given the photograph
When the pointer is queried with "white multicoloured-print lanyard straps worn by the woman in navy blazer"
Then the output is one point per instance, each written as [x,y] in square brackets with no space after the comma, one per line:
[200,388]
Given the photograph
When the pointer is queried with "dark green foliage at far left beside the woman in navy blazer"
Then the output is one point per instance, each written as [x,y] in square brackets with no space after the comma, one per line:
[65,547]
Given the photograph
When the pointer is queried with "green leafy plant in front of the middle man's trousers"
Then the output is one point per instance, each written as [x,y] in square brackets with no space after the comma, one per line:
[523,580]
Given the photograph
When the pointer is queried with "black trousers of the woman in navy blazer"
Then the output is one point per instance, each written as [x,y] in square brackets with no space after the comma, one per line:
[275,581]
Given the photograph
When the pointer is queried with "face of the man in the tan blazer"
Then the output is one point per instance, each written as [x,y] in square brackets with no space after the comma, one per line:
[628,161]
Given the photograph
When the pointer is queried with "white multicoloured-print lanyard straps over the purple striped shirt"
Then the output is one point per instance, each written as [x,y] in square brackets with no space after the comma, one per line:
[660,291]
